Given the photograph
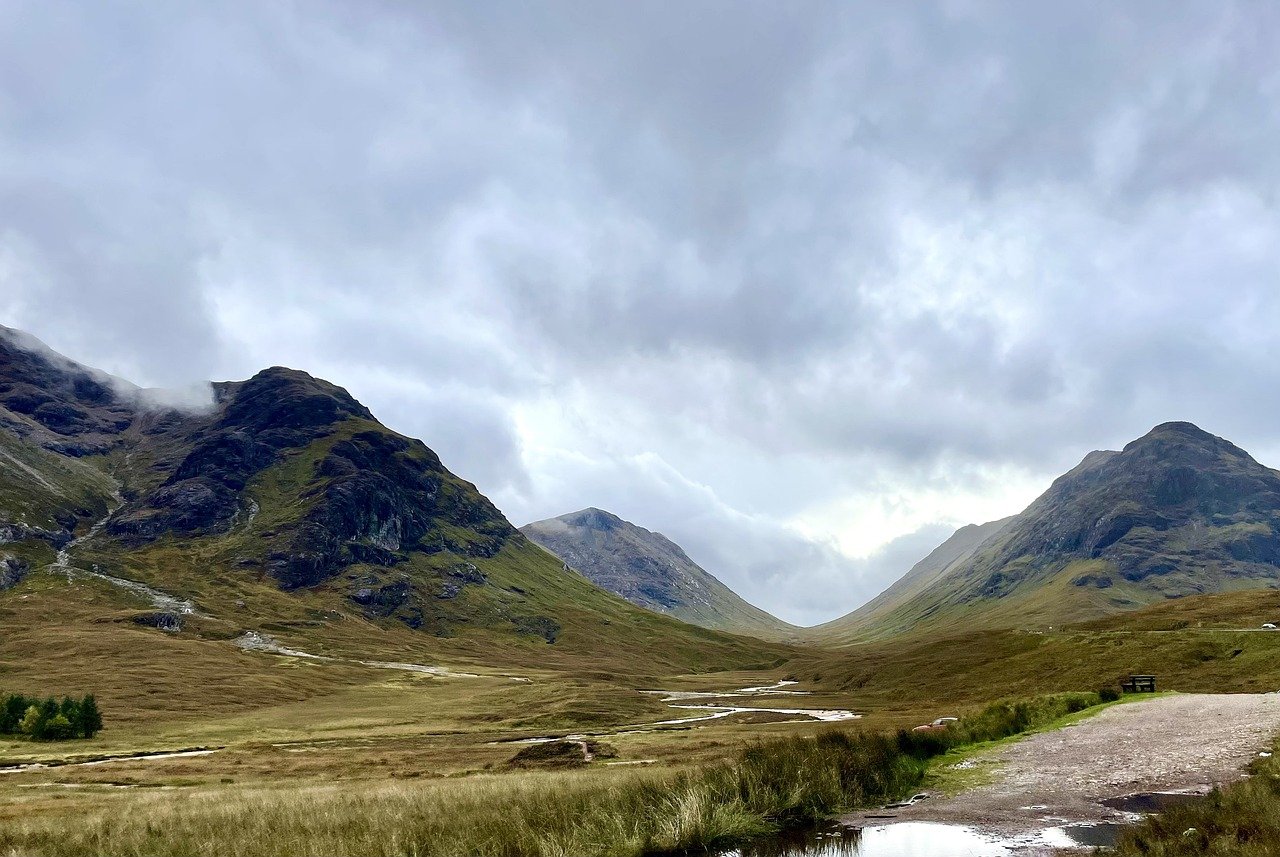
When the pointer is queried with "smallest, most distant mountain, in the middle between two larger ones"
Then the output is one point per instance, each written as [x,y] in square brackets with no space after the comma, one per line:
[651,571]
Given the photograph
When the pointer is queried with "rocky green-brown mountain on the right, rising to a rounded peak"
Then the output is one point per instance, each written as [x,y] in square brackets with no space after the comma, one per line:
[1177,512]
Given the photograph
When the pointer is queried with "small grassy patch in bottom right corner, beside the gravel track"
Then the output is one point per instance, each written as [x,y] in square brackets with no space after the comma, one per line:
[1242,821]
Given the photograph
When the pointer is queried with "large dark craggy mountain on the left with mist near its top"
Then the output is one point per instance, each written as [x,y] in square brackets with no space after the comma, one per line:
[281,506]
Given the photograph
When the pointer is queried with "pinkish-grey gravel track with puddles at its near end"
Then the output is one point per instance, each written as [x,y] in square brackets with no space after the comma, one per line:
[1173,744]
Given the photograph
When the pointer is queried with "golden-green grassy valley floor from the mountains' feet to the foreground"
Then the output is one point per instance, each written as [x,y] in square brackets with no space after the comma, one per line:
[377,760]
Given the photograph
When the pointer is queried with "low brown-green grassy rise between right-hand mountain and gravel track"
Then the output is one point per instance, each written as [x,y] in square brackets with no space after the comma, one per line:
[1195,644]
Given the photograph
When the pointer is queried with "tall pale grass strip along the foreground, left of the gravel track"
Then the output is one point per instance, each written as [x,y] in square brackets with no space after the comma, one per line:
[606,812]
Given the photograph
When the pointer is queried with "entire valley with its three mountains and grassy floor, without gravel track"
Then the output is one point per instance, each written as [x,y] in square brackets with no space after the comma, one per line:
[280,602]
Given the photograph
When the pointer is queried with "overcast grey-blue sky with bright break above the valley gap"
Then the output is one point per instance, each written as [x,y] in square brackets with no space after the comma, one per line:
[802,286]
